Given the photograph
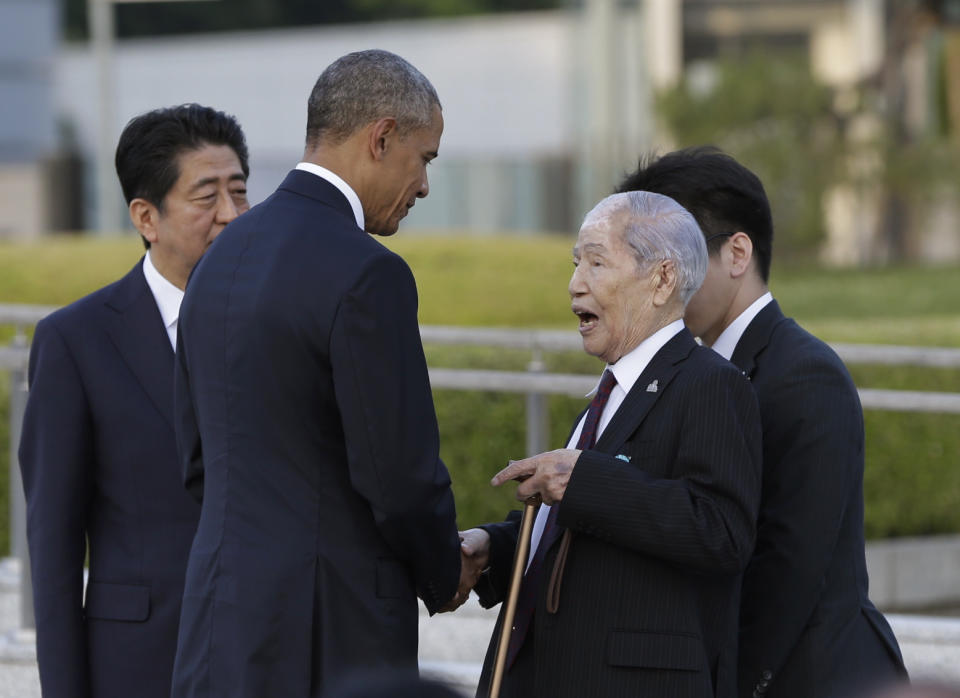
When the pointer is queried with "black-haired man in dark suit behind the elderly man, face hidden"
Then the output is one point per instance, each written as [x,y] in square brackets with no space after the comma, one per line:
[807,625]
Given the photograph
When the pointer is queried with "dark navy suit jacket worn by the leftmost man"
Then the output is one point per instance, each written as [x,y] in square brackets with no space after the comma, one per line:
[99,463]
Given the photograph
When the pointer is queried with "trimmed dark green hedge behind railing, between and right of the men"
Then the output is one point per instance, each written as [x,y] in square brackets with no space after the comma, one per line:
[912,474]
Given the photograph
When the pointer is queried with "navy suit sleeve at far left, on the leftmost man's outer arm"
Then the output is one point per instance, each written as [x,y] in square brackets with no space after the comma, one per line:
[56,461]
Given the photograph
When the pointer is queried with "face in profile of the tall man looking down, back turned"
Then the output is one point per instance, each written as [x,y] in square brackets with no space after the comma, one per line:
[404,176]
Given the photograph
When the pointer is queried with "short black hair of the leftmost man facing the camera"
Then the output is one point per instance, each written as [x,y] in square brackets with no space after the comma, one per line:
[150,144]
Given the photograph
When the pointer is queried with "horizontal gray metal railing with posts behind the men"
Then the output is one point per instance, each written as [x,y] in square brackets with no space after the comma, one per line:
[535,382]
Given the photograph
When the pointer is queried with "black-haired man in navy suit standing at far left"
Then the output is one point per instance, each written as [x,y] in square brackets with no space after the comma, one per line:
[98,450]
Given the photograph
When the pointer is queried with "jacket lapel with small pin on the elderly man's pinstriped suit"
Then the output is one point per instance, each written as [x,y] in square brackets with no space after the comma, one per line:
[644,394]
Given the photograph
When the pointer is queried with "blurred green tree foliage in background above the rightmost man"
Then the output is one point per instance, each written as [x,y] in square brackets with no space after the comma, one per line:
[803,139]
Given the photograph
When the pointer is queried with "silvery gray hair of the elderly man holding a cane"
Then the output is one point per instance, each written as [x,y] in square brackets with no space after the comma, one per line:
[659,228]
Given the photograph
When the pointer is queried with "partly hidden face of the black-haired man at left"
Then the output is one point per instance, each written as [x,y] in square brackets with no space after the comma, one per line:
[209,193]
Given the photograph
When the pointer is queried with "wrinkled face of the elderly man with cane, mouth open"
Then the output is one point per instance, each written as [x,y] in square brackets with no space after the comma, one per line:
[611,294]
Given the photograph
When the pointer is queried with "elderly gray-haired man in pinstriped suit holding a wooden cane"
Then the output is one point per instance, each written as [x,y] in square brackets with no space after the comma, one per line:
[656,496]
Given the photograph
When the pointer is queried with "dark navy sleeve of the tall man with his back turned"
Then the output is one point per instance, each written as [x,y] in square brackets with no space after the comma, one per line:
[390,427]
